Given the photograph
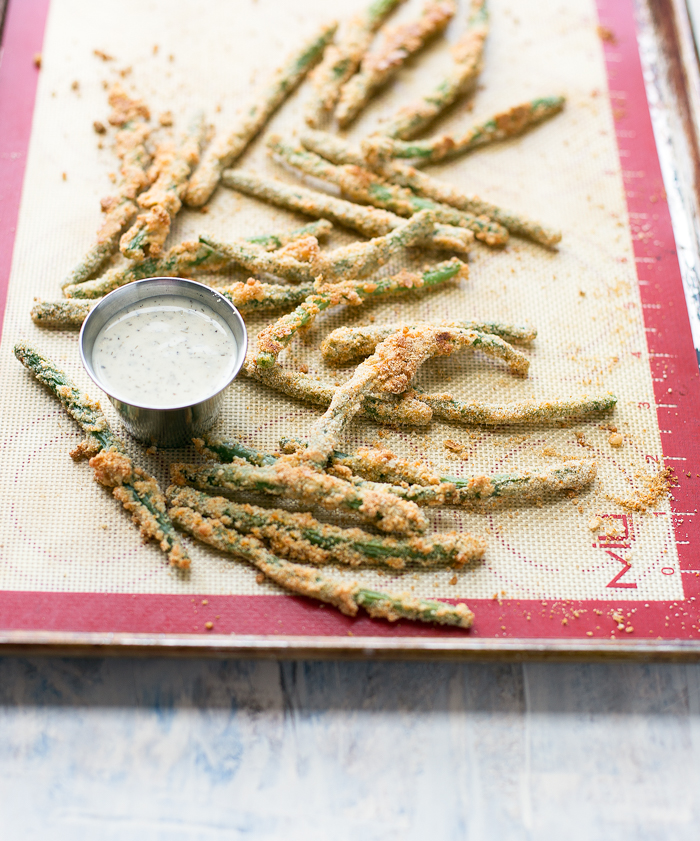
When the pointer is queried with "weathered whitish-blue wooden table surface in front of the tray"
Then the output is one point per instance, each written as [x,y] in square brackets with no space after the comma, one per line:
[187,749]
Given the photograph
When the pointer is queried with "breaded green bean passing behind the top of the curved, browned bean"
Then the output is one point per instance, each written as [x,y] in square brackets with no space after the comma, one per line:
[347,343]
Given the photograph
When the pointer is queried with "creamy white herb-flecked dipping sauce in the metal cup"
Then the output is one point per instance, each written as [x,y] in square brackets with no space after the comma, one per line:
[164,353]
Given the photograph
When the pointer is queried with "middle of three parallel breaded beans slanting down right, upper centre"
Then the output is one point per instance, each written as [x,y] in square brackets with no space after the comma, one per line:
[361,185]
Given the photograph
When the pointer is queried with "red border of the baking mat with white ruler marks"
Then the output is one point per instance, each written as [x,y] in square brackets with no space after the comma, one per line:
[673,364]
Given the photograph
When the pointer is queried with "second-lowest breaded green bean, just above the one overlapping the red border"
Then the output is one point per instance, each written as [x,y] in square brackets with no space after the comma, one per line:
[300,537]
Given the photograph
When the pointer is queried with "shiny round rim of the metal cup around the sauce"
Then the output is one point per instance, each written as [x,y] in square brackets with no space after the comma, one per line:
[140,290]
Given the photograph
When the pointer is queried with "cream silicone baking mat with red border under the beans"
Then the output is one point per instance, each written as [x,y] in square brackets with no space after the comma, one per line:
[608,306]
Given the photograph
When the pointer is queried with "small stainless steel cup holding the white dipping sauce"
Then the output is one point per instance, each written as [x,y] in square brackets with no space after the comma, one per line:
[178,425]
